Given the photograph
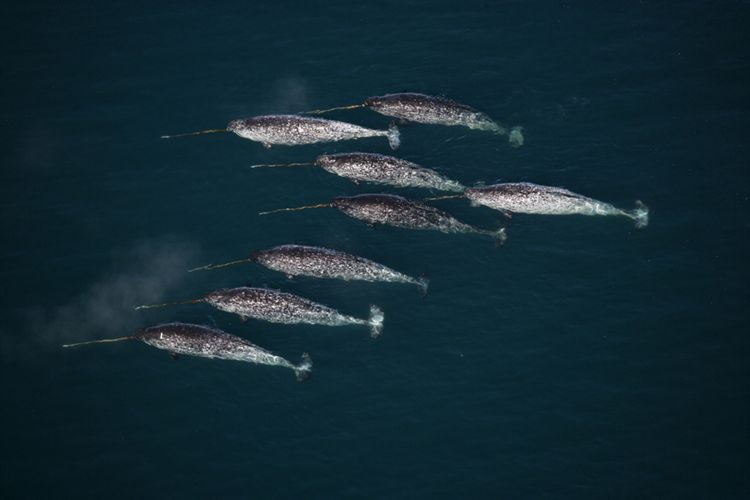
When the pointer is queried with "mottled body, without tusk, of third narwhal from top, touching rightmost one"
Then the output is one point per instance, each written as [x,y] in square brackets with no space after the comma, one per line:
[382,169]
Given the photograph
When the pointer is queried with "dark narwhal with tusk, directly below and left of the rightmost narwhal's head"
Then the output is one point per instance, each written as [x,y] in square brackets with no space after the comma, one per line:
[398,211]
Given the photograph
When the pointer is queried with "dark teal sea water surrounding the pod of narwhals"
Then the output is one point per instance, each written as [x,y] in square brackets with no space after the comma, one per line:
[584,359]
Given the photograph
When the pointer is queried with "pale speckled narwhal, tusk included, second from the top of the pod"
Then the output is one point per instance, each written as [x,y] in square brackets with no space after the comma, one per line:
[292,130]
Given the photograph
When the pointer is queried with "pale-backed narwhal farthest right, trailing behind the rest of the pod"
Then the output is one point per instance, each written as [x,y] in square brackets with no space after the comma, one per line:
[528,198]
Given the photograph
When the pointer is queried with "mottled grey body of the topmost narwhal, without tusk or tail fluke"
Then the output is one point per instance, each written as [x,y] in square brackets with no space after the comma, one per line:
[423,108]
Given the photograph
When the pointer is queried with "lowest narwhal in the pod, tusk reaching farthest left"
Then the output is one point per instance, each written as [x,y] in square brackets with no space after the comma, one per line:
[205,342]
